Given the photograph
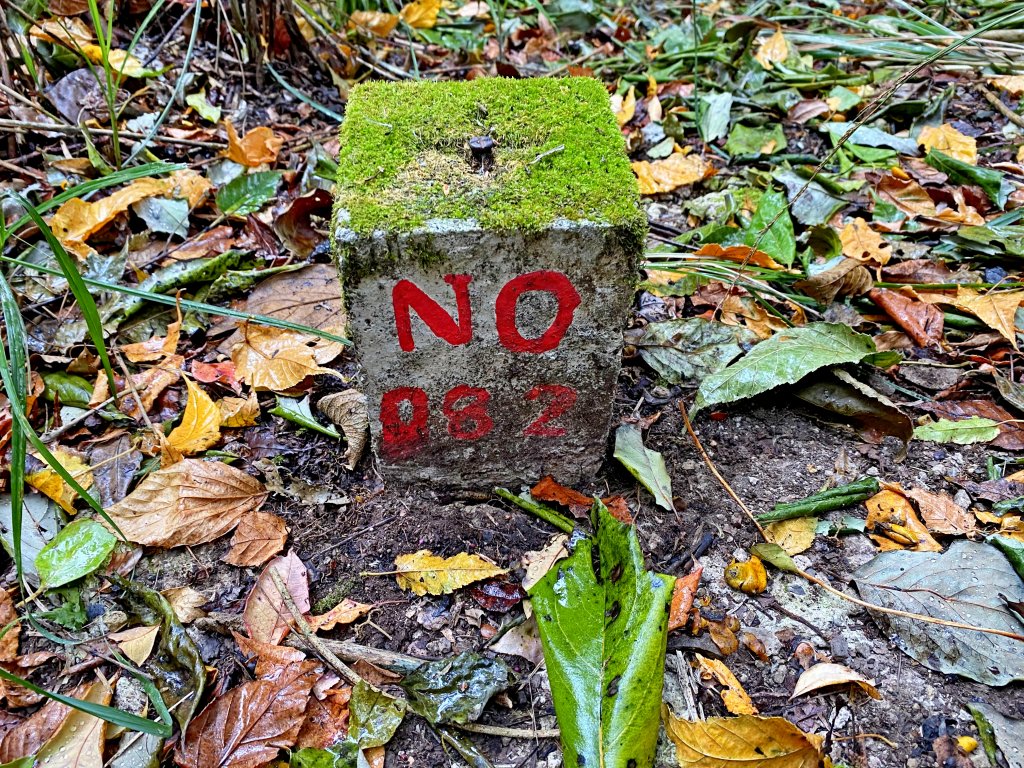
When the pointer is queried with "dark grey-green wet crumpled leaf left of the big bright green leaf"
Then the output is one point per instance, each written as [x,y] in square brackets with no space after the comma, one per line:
[456,691]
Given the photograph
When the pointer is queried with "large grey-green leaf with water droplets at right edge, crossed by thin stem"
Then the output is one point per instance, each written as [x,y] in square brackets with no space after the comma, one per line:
[966,584]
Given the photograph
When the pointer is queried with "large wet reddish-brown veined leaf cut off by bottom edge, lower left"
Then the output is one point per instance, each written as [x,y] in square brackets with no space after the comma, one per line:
[250,724]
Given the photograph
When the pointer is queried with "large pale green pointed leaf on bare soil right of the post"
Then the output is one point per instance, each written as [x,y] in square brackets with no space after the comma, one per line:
[785,359]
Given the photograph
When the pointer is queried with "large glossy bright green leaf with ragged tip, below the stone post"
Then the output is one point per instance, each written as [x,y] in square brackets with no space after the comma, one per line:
[605,638]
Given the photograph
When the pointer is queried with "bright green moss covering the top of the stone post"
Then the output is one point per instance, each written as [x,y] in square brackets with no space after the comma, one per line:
[559,154]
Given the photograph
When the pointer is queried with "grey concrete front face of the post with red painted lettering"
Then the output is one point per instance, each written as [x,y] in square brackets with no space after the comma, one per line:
[464,452]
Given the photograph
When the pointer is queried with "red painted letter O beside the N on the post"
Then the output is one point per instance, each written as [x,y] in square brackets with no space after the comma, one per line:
[550,282]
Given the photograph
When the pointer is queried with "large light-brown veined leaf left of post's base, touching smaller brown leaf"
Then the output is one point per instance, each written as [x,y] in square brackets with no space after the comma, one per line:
[192,502]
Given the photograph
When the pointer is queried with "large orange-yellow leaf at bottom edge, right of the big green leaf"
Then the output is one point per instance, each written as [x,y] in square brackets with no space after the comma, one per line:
[745,742]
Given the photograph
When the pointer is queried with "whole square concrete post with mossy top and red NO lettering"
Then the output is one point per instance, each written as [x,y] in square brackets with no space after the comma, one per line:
[489,236]
